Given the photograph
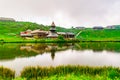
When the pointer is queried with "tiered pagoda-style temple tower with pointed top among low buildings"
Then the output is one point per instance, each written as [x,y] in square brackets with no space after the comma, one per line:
[52,31]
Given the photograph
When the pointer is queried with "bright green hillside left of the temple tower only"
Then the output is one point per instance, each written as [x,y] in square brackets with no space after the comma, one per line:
[11,30]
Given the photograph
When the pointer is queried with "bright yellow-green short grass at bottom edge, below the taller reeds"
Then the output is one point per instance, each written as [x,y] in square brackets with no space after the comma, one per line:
[72,76]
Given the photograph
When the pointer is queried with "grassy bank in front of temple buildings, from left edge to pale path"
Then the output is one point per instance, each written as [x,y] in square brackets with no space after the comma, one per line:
[44,40]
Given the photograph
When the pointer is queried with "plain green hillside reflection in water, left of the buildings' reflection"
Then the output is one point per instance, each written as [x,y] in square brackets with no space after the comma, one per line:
[10,51]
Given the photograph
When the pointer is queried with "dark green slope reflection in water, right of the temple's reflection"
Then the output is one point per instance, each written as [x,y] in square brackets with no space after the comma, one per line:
[99,46]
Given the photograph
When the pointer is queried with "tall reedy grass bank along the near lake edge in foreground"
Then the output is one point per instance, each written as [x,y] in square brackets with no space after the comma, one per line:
[63,73]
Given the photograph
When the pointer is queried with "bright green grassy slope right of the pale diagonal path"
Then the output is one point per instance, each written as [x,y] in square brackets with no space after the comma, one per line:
[99,35]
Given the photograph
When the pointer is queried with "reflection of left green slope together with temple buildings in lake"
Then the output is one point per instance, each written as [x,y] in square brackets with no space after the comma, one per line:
[11,51]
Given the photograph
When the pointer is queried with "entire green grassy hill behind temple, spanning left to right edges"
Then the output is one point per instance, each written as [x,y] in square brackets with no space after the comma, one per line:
[11,31]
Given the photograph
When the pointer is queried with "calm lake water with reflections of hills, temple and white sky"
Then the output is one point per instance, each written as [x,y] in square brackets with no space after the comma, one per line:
[18,56]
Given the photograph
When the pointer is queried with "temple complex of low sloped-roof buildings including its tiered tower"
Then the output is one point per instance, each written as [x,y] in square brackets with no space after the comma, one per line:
[46,34]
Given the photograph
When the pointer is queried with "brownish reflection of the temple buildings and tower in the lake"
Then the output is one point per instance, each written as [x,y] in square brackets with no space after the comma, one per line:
[46,48]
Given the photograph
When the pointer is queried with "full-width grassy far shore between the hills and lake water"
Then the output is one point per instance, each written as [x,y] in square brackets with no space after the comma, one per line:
[16,40]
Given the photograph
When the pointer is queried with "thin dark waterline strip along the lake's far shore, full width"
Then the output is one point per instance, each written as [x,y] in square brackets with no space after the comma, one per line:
[57,41]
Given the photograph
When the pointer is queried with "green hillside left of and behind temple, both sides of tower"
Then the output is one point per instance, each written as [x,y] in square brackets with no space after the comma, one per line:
[11,30]
